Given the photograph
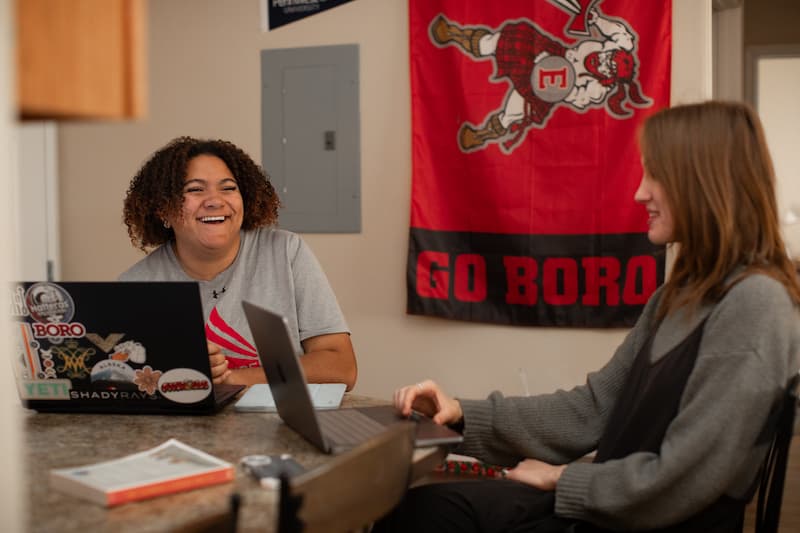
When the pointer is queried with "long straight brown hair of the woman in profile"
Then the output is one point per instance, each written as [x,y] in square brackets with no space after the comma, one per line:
[713,162]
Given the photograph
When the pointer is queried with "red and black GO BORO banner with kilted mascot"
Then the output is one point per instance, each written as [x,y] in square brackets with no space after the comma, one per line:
[525,162]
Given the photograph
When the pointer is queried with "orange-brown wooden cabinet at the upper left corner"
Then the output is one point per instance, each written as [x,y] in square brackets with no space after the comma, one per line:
[81,59]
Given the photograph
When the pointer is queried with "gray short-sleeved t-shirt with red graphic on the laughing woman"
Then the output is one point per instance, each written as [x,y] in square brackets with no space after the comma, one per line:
[274,269]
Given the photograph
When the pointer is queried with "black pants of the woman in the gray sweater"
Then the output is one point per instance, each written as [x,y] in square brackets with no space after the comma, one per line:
[479,506]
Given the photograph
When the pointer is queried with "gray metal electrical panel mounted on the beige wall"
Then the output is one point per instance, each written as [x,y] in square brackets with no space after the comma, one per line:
[310,136]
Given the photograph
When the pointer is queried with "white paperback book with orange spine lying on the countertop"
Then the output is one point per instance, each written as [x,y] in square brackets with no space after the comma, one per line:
[169,467]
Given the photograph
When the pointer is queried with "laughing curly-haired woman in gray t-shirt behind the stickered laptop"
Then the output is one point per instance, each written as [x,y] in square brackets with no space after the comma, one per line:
[207,211]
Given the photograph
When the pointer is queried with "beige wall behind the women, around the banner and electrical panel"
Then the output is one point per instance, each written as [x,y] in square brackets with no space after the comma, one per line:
[204,81]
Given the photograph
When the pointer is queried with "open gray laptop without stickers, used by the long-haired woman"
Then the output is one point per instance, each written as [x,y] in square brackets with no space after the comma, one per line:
[331,430]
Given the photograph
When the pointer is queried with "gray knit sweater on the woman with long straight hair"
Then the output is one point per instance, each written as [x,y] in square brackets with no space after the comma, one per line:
[748,352]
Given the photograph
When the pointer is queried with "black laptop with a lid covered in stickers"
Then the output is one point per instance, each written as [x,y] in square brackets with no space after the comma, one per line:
[113,347]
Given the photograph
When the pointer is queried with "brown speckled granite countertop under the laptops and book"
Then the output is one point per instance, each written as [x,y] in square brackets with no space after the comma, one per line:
[65,440]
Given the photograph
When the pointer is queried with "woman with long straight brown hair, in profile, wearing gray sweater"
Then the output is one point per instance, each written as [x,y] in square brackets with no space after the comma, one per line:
[677,419]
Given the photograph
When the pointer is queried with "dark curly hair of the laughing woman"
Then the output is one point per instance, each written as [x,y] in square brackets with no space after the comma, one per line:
[156,191]
